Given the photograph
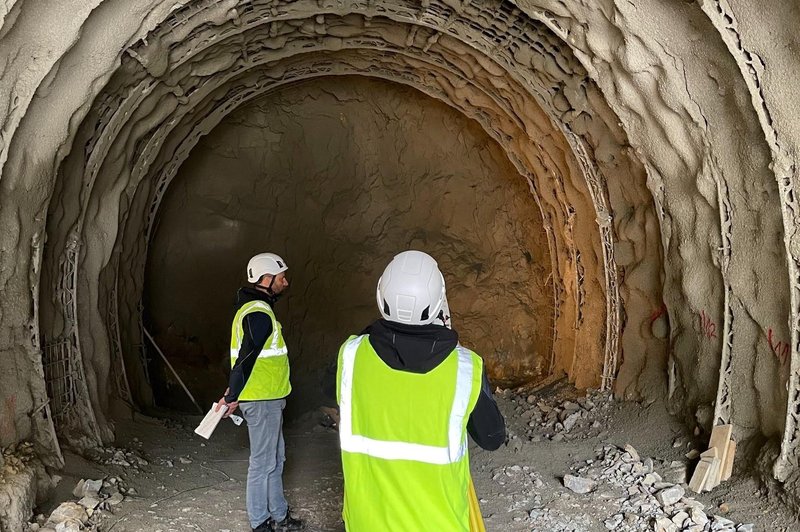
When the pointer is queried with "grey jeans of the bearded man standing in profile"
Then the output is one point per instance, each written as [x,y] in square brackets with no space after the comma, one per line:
[267,453]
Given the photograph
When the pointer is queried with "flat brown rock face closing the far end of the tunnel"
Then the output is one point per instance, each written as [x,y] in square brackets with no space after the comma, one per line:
[337,175]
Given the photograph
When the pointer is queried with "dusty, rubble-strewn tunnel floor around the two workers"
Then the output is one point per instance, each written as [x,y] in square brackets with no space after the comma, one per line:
[176,481]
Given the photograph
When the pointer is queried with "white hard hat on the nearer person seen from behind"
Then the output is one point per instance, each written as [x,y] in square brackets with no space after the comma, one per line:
[411,289]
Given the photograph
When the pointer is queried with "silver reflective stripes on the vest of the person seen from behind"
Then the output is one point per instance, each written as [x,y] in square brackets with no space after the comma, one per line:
[394,450]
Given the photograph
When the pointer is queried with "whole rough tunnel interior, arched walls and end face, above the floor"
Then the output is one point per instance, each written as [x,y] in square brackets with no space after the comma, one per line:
[608,188]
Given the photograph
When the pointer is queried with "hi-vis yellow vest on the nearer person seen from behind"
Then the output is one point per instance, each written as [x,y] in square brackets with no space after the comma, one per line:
[404,441]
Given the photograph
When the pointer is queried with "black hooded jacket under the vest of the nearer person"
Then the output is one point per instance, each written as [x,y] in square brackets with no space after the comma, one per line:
[419,349]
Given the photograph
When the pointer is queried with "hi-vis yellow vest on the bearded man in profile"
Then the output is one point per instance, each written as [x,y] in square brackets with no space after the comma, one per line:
[270,376]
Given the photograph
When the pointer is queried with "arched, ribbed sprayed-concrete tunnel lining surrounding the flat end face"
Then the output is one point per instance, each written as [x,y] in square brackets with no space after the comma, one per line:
[660,149]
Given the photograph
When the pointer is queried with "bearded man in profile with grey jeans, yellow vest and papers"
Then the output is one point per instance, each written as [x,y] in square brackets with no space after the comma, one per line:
[258,384]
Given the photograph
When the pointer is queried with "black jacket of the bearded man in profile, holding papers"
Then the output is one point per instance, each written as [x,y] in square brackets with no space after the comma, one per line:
[257,329]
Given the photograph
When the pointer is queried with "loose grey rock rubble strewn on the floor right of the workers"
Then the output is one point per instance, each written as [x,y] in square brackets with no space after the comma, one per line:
[620,489]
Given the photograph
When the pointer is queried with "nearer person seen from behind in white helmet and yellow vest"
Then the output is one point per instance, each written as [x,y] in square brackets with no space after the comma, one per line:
[408,395]
